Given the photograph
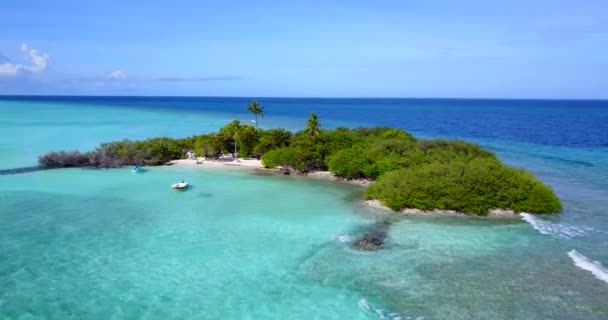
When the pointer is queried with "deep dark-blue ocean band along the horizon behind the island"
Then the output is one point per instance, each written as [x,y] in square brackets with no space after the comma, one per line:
[570,123]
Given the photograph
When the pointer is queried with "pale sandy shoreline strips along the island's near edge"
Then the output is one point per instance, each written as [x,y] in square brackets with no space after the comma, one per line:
[256,165]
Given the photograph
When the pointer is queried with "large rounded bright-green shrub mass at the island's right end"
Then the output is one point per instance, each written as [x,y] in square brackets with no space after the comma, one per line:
[470,186]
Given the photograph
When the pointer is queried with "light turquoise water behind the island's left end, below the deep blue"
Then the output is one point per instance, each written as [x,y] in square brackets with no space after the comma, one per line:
[33,128]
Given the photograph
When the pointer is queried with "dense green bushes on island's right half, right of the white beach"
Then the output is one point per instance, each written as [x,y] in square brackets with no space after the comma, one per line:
[424,174]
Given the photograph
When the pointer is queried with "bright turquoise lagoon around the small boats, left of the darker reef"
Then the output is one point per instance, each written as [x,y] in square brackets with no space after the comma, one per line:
[129,246]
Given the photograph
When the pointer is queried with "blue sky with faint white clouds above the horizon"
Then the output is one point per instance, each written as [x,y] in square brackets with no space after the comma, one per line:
[509,49]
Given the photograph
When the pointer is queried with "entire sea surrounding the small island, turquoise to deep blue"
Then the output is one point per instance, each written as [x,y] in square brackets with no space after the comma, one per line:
[108,244]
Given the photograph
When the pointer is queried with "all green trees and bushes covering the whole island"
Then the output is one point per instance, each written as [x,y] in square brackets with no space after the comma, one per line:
[408,172]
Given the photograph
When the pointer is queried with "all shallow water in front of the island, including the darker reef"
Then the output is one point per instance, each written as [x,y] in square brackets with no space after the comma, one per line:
[92,243]
